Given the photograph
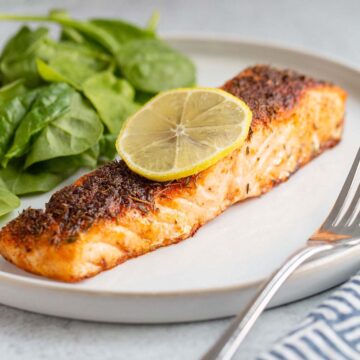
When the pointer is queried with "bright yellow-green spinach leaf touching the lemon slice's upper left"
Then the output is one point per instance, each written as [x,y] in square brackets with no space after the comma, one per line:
[113,98]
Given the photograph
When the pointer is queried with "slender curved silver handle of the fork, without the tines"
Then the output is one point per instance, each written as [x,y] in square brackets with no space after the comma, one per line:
[226,347]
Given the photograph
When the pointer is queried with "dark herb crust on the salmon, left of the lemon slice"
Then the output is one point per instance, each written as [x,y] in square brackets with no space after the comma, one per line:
[104,193]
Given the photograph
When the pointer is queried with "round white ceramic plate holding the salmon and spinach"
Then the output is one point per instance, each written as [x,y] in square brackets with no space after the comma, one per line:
[214,273]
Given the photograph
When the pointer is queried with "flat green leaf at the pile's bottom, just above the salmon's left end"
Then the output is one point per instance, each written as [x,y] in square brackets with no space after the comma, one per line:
[21,182]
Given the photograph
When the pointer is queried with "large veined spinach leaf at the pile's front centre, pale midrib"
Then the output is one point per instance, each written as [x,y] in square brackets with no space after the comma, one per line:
[72,133]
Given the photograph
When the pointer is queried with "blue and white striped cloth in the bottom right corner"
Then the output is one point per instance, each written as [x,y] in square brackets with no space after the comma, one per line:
[331,331]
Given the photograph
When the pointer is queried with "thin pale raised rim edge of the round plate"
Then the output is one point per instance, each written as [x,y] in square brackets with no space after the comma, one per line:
[54,285]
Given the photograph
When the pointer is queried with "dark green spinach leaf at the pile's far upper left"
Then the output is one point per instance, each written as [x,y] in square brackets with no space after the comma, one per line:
[18,59]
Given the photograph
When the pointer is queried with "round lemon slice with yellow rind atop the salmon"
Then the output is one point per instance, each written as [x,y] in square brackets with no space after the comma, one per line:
[182,132]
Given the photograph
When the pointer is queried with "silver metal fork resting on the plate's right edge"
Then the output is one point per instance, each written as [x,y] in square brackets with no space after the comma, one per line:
[341,229]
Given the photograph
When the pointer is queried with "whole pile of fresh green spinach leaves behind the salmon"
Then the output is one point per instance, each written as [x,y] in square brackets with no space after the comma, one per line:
[63,102]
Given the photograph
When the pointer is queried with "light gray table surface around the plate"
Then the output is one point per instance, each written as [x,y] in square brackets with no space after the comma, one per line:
[331,28]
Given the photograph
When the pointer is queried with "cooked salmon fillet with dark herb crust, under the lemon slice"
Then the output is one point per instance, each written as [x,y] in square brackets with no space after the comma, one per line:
[112,214]
